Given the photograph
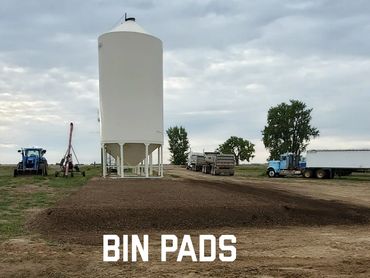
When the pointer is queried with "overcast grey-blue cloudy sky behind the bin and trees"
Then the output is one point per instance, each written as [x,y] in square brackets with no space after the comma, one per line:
[225,64]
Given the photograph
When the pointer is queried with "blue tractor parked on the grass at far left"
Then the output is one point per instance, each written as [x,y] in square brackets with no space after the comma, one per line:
[33,162]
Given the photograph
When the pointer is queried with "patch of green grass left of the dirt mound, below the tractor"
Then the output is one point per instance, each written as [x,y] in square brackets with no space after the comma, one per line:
[24,194]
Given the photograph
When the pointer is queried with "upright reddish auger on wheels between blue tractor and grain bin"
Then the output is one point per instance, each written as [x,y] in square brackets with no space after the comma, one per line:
[67,167]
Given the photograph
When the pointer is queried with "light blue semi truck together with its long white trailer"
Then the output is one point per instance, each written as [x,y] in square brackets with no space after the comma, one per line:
[321,163]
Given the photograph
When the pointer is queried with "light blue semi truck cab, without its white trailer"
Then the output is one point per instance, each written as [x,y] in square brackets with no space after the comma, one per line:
[289,164]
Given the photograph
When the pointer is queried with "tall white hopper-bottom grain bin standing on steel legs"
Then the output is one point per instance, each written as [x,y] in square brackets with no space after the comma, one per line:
[131,100]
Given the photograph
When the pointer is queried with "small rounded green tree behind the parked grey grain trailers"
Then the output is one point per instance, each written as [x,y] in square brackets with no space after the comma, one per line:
[240,148]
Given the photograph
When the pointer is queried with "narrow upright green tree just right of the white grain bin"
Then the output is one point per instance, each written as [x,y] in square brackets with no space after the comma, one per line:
[179,144]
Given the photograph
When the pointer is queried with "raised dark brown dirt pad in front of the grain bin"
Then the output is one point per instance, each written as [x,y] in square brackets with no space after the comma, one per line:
[139,206]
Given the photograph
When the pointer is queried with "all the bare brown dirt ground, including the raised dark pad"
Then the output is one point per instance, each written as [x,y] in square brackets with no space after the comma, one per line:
[284,227]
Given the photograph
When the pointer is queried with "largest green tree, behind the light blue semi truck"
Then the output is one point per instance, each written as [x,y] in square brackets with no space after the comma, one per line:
[288,129]
